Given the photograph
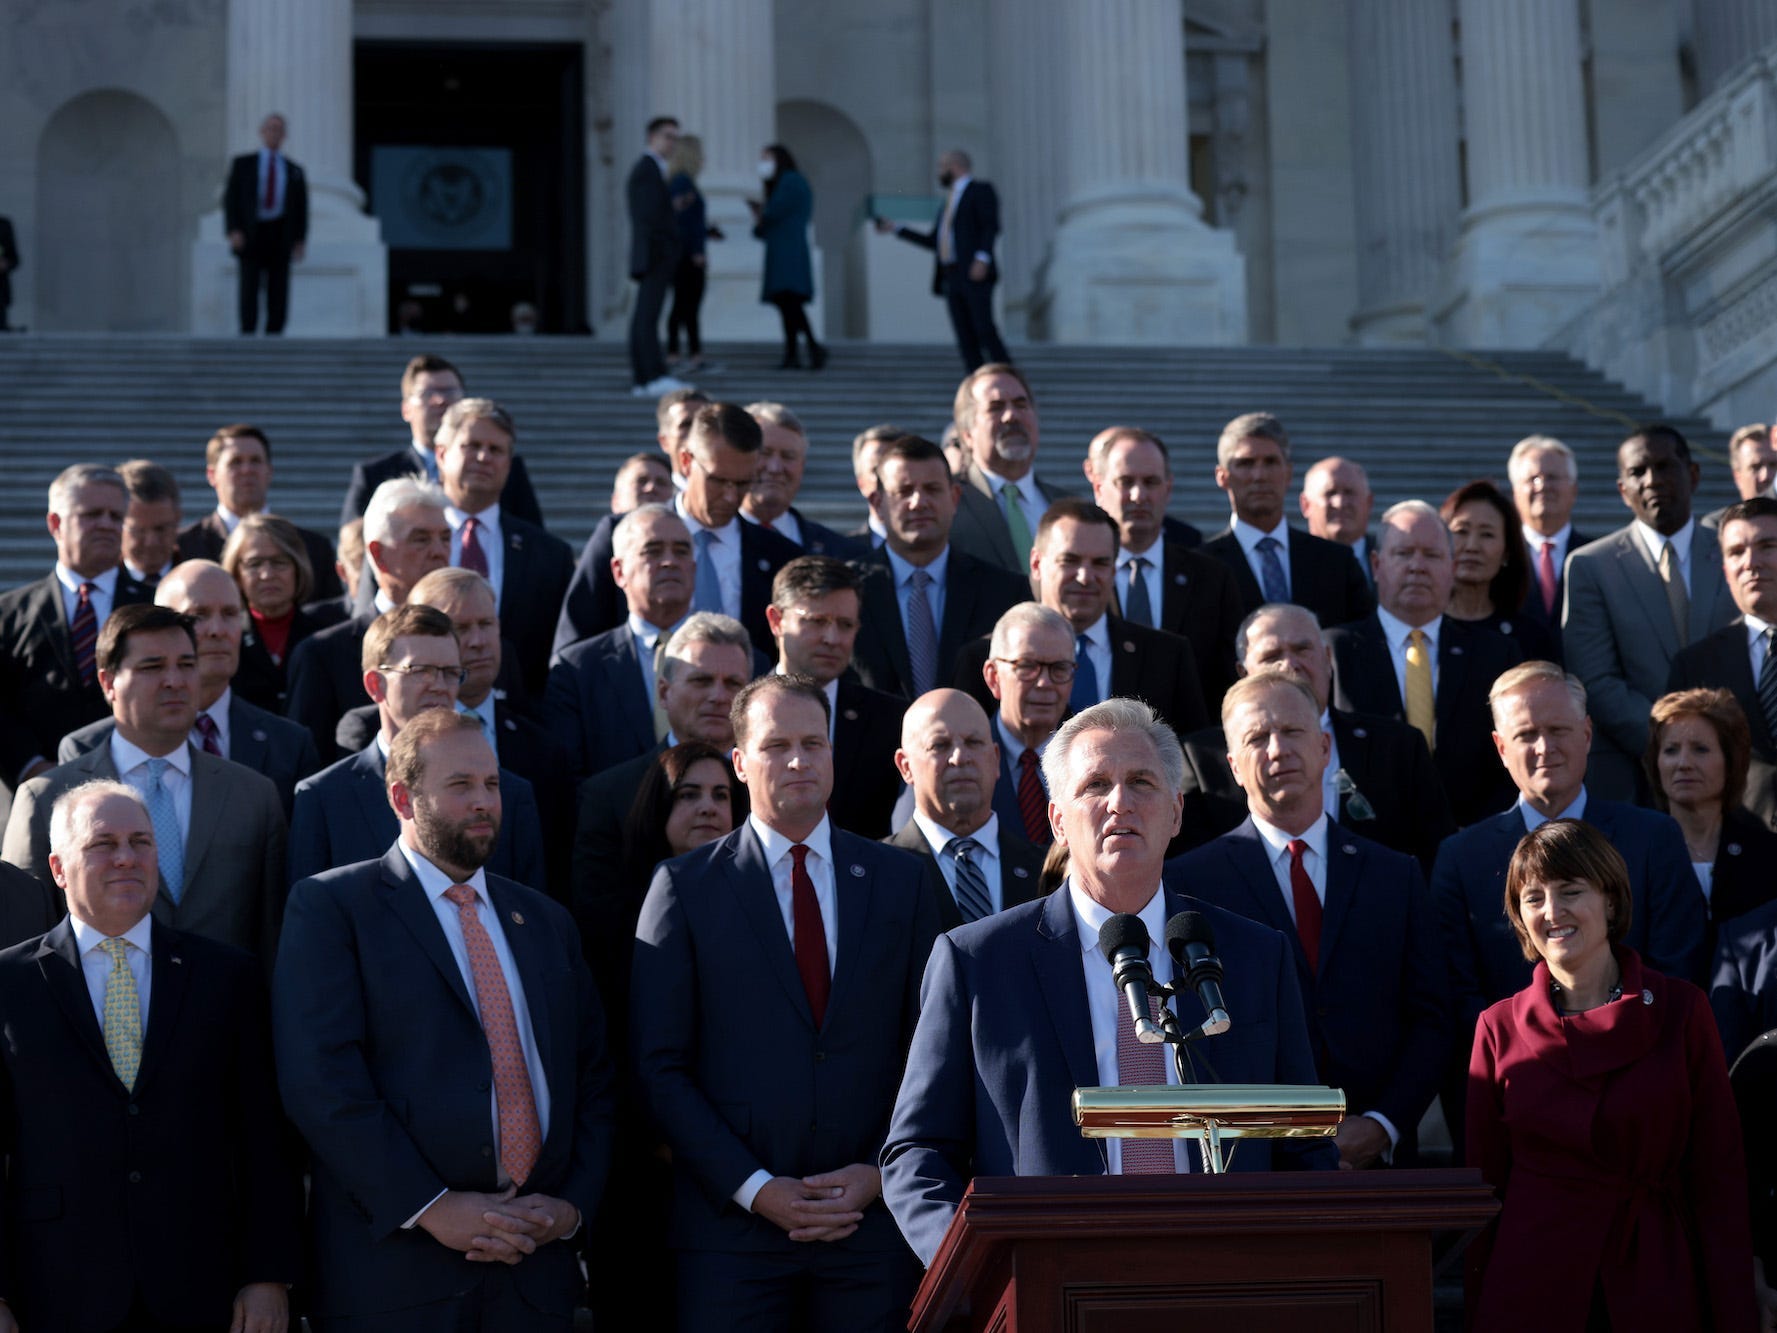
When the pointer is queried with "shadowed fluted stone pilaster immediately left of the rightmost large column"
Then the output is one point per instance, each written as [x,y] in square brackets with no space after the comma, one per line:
[1405,161]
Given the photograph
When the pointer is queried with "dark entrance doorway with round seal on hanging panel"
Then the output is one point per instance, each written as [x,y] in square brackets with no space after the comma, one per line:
[474,161]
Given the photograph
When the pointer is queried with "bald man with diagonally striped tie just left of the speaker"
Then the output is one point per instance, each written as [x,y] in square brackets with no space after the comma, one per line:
[952,763]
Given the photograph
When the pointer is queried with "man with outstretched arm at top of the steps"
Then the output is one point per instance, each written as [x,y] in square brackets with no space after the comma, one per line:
[962,246]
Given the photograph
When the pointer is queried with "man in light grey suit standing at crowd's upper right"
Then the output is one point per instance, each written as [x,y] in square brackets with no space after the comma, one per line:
[1638,598]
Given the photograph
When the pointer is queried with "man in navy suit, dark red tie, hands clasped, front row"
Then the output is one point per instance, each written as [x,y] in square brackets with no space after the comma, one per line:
[774,994]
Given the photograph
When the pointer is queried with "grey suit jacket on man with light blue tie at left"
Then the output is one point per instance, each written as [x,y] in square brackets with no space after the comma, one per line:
[234,850]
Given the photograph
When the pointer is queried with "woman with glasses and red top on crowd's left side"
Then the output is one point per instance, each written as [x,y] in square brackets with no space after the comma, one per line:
[266,555]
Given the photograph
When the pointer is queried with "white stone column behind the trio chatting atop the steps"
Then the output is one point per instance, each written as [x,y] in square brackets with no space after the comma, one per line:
[713,67]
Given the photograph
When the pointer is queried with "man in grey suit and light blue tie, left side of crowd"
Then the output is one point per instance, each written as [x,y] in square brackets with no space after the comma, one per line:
[218,826]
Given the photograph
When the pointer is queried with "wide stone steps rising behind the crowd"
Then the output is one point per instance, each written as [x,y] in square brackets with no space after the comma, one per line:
[1421,420]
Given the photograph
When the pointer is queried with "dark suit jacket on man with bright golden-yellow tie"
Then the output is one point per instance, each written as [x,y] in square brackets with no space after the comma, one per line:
[1469,662]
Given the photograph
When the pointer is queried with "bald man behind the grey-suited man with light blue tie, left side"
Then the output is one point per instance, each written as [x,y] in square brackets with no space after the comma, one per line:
[227,726]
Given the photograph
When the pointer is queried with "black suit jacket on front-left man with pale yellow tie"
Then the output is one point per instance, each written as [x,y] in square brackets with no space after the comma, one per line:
[198,1147]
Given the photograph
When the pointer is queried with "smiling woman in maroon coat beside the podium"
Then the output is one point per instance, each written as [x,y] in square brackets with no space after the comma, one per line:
[1598,1106]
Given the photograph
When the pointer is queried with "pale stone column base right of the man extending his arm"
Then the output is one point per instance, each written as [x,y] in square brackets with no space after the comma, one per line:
[1143,273]
